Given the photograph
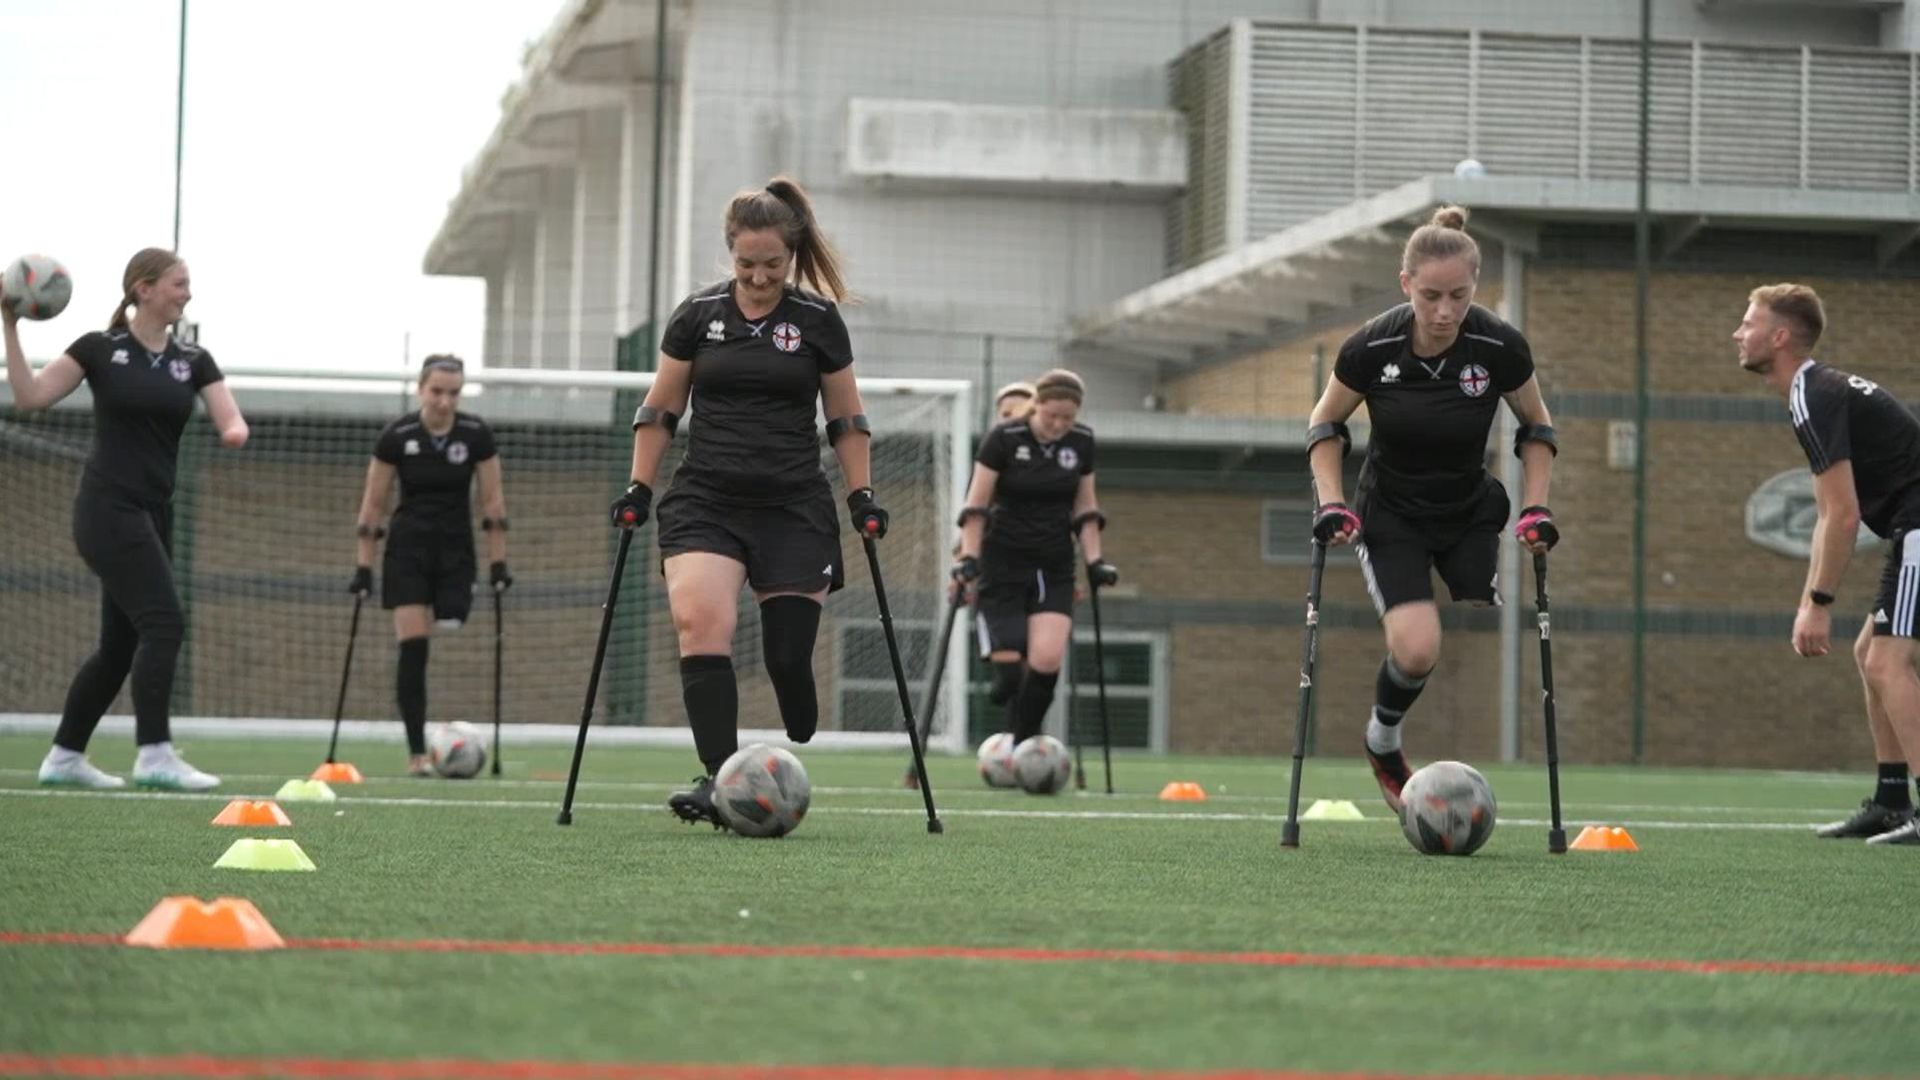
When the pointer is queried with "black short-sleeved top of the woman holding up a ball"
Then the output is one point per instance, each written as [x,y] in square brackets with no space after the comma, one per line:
[141,406]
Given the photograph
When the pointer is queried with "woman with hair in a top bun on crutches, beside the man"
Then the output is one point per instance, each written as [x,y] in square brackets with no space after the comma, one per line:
[1433,374]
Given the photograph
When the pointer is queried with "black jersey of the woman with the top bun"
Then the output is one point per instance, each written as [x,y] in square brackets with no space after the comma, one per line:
[1431,416]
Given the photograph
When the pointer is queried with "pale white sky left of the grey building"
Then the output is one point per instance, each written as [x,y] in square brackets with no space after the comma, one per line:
[324,143]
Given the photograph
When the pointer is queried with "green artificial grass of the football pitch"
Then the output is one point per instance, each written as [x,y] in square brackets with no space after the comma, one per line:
[485,860]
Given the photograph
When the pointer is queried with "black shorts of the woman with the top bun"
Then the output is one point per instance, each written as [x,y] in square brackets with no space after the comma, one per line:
[1399,554]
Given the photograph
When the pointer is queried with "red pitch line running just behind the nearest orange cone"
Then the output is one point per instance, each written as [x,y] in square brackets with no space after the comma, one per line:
[1378,962]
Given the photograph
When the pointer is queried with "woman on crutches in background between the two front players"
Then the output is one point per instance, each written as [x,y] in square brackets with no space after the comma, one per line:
[1032,495]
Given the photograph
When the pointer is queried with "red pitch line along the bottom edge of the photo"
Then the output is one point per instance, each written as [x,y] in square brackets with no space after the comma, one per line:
[204,1068]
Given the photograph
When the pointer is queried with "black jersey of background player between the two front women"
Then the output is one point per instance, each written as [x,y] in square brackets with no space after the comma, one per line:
[1034,495]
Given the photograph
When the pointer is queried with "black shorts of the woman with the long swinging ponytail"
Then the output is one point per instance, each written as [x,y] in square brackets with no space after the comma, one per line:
[786,549]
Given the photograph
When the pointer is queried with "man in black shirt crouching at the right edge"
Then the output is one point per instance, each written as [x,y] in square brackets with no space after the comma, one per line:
[1863,447]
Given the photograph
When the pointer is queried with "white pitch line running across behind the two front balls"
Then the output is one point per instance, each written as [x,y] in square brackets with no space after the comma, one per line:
[875,812]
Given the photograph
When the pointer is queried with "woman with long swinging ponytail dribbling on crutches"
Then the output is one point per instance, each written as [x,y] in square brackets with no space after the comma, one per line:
[750,504]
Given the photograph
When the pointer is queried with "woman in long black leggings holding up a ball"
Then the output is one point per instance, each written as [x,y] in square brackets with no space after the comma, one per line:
[143,381]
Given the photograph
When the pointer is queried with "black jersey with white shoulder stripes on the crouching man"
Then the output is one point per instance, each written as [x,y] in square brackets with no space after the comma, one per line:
[1844,418]
